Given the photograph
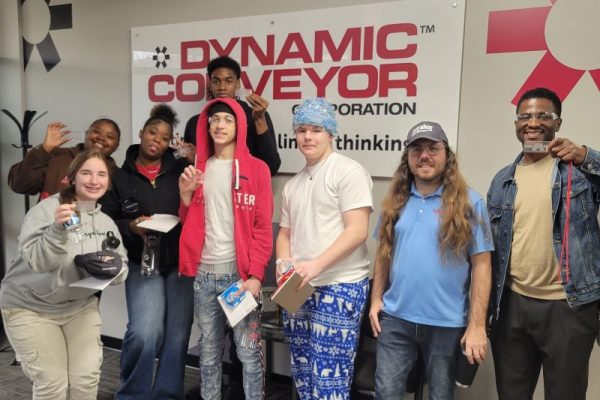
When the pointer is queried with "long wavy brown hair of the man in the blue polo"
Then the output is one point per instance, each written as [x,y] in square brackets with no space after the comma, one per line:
[456,218]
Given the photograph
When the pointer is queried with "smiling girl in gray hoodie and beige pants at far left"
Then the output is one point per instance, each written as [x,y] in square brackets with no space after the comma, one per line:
[55,328]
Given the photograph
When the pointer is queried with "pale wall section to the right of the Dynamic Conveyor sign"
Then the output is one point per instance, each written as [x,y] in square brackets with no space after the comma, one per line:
[487,141]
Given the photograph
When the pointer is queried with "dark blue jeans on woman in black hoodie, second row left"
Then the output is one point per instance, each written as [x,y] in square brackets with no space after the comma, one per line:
[161,312]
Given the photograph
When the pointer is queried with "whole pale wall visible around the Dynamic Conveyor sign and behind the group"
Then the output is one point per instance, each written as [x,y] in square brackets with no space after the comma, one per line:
[93,79]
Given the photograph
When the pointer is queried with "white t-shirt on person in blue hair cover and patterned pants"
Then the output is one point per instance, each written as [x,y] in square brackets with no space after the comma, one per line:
[312,205]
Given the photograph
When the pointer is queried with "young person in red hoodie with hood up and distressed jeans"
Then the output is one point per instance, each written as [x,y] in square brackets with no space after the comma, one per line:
[226,211]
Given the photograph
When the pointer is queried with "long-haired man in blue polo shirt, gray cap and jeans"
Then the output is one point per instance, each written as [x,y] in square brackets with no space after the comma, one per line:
[432,276]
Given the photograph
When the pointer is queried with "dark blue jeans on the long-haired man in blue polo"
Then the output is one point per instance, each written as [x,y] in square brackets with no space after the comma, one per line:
[397,348]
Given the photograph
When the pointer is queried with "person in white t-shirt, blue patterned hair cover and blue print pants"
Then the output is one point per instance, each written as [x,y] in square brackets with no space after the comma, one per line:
[324,223]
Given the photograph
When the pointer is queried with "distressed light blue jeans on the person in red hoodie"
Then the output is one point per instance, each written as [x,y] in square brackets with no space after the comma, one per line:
[211,322]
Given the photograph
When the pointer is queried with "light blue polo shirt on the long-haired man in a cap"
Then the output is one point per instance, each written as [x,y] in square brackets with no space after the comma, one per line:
[425,289]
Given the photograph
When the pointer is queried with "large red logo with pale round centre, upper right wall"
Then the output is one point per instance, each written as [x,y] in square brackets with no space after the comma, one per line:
[533,29]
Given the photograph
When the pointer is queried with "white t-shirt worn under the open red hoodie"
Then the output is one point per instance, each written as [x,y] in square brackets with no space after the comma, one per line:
[219,244]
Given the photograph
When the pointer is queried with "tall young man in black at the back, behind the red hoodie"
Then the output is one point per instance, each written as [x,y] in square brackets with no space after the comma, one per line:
[224,74]
